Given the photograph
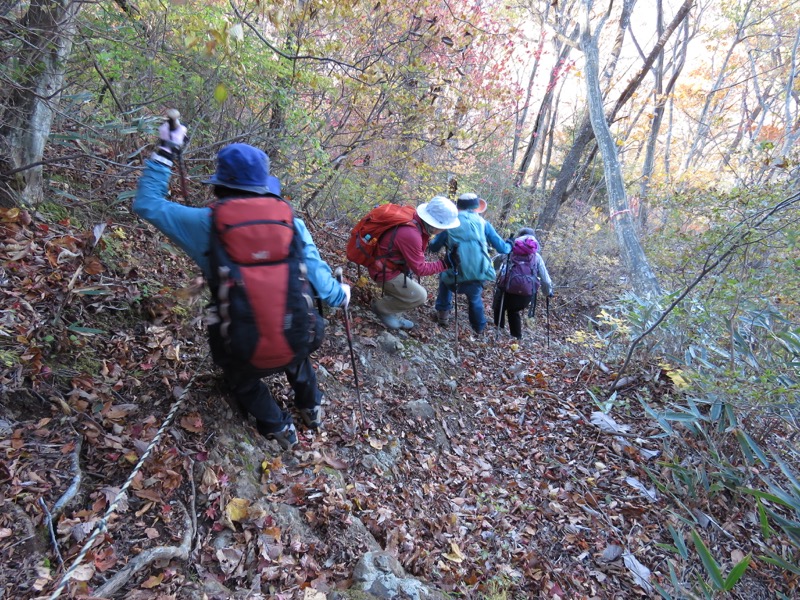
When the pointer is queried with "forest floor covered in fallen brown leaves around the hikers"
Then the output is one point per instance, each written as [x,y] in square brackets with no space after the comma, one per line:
[481,465]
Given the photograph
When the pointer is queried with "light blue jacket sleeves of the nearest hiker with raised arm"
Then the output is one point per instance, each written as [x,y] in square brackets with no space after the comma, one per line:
[190,229]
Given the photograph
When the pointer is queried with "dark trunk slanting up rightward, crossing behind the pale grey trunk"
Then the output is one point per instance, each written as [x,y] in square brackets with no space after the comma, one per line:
[547,217]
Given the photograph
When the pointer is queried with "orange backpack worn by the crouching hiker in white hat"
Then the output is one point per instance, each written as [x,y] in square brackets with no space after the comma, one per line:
[363,248]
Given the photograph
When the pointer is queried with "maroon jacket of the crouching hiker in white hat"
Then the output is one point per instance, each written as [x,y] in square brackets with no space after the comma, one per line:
[407,253]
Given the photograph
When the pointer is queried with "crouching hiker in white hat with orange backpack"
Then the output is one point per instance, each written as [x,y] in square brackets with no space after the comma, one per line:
[390,241]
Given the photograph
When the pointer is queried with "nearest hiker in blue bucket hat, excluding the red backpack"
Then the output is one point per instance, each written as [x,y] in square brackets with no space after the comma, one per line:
[242,171]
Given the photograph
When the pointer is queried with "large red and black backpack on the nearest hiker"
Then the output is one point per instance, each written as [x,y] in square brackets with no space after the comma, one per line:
[263,299]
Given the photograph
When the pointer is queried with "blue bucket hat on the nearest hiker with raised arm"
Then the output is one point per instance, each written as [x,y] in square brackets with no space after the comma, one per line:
[244,167]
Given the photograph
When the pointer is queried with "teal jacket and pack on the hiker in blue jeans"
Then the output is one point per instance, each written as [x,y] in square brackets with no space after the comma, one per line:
[472,238]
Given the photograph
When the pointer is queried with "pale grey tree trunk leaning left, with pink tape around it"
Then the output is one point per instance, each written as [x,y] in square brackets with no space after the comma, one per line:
[642,277]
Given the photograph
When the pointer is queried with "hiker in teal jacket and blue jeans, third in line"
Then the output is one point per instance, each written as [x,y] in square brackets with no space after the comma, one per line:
[470,242]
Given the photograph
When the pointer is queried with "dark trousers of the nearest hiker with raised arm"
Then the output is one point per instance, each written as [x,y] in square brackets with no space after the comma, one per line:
[252,395]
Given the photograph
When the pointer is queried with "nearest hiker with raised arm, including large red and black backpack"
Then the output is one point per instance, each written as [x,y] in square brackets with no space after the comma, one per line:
[260,262]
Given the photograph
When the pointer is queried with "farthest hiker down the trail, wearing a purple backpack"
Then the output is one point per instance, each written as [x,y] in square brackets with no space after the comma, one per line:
[520,274]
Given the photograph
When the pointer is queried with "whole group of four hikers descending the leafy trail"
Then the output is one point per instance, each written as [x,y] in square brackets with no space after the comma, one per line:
[264,270]
